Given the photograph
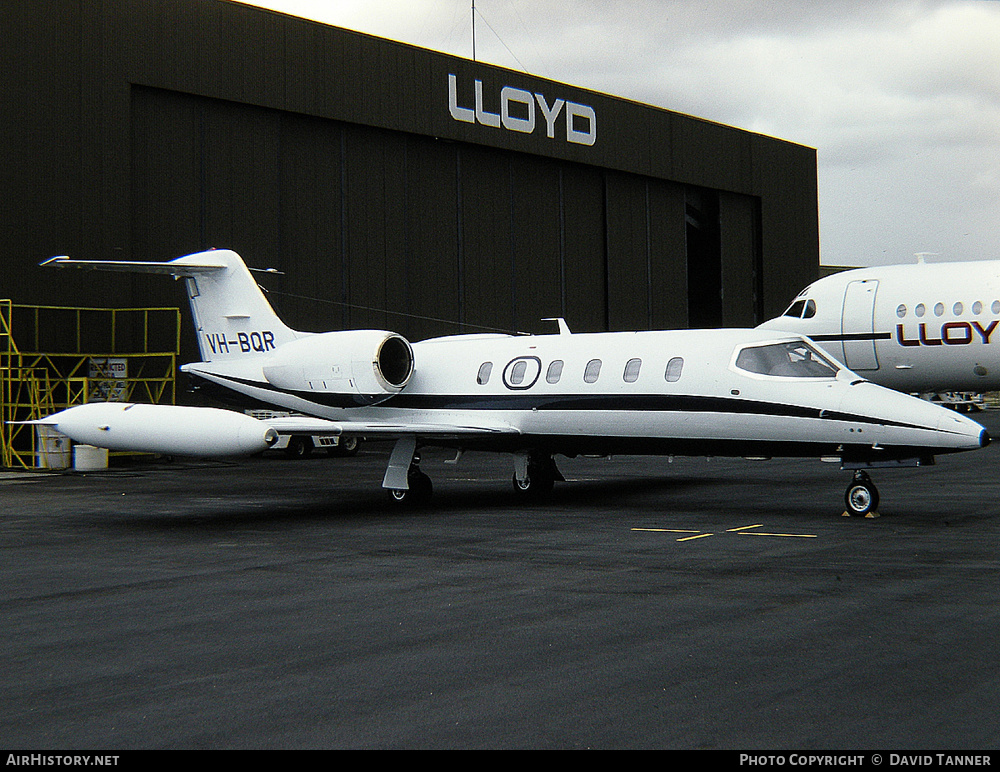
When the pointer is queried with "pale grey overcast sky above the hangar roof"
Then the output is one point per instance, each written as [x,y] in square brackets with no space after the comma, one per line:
[900,98]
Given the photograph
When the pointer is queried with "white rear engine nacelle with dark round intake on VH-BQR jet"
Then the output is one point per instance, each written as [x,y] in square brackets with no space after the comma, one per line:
[369,365]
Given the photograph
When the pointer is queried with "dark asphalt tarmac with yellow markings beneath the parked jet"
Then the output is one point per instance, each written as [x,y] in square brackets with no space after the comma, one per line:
[701,603]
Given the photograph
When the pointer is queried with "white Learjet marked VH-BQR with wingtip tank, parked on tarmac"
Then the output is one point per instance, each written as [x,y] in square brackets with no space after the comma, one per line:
[740,393]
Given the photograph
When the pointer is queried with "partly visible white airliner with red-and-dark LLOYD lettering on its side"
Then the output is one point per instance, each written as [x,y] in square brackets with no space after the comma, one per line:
[917,328]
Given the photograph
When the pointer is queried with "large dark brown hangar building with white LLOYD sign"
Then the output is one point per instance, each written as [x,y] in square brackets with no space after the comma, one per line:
[395,187]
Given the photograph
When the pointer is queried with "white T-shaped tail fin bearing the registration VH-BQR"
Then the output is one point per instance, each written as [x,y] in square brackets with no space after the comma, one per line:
[232,317]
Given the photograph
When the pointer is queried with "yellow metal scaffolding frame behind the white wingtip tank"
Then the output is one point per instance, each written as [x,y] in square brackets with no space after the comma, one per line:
[35,383]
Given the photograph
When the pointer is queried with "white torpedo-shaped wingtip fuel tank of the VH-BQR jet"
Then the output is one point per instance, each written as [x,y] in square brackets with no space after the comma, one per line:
[173,430]
